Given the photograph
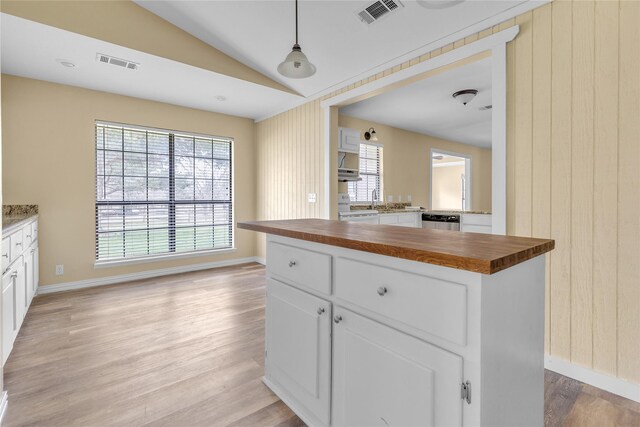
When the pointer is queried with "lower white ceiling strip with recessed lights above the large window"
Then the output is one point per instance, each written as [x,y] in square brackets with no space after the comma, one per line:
[30,49]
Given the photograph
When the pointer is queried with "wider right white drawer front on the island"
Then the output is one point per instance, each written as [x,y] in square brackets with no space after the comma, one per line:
[431,305]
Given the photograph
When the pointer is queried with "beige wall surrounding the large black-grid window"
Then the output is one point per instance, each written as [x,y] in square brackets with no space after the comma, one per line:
[49,160]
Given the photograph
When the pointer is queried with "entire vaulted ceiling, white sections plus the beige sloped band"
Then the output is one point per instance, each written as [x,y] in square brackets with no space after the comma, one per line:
[194,51]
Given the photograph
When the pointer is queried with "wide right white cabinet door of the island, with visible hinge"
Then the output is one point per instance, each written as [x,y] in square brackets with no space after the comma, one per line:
[383,377]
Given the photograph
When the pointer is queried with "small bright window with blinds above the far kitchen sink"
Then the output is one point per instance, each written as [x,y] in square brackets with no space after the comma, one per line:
[370,165]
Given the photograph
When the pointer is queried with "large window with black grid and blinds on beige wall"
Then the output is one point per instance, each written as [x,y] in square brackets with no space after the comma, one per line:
[161,192]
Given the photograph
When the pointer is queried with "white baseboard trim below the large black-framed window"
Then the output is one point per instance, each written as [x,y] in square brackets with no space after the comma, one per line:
[111,280]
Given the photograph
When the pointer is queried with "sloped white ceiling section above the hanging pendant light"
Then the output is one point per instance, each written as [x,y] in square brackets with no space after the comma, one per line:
[260,33]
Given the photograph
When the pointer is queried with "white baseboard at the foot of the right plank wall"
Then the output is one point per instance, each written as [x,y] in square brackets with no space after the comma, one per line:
[611,384]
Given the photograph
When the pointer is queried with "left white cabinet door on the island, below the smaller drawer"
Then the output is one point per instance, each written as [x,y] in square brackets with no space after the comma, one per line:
[298,347]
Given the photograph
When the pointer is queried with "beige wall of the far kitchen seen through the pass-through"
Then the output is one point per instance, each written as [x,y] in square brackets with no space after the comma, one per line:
[407,163]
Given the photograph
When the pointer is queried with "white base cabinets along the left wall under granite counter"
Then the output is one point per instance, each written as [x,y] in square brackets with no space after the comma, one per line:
[19,281]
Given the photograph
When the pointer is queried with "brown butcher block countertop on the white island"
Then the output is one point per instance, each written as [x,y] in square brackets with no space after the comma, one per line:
[480,253]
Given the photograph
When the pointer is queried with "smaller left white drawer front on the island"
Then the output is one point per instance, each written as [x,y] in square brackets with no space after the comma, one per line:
[300,267]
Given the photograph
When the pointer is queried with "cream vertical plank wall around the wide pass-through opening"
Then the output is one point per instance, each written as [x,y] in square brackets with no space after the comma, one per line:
[573,170]
